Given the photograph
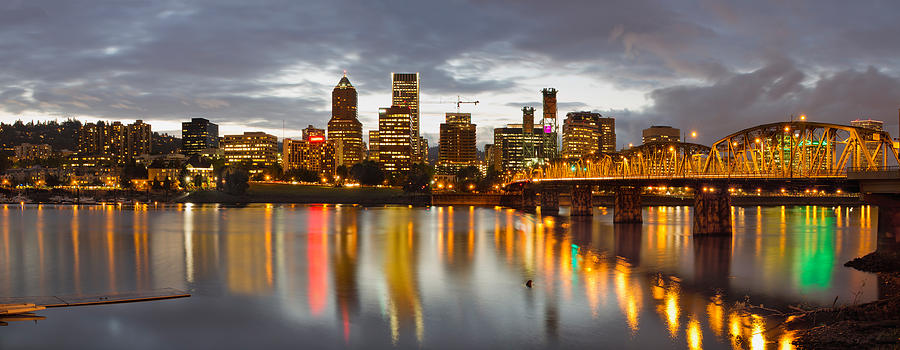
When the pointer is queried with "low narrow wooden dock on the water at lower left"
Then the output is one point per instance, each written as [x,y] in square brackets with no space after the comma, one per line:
[93,299]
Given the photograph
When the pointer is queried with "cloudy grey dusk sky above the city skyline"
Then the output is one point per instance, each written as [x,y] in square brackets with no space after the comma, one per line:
[705,65]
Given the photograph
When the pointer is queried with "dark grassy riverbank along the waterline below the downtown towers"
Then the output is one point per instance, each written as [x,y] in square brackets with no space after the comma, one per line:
[309,194]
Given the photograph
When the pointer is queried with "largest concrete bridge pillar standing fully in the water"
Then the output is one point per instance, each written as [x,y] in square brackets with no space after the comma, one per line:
[712,213]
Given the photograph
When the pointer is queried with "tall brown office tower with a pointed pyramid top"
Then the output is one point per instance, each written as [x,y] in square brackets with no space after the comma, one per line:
[344,127]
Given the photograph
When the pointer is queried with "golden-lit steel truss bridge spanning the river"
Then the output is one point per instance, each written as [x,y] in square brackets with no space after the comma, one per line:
[798,151]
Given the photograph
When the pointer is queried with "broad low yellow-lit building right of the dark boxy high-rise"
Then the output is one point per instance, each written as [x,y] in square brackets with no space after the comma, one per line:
[254,150]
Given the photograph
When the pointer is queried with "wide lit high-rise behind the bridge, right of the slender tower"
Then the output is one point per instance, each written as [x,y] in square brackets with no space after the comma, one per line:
[586,133]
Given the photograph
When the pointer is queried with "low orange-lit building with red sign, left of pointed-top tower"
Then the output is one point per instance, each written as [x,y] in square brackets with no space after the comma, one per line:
[312,153]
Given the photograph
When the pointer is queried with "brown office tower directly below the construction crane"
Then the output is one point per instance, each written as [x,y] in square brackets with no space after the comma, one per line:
[456,148]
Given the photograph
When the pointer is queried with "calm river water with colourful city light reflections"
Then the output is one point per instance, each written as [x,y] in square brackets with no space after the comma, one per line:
[269,276]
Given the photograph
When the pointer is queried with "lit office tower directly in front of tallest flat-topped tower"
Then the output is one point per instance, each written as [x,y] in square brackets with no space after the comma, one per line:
[395,150]
